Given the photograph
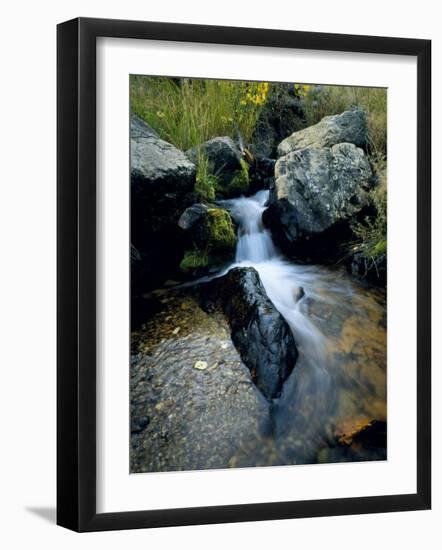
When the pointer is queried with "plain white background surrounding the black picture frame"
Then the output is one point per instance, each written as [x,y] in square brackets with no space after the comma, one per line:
[27,299]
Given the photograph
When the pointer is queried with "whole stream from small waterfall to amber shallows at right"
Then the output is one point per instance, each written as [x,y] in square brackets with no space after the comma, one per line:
[339,381]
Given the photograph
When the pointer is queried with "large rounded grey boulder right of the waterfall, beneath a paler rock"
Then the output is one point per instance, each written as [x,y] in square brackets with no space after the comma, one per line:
[316,193]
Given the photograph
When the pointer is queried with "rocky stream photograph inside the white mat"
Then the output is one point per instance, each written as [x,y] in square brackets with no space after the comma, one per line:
[258,258]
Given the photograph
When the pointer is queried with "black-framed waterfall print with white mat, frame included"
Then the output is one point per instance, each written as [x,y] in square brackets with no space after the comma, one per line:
[243,274]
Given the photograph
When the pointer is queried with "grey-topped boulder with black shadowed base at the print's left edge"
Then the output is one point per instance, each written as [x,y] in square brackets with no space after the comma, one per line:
[162,181]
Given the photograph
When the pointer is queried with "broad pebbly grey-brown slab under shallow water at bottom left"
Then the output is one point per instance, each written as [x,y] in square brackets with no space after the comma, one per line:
[198,418]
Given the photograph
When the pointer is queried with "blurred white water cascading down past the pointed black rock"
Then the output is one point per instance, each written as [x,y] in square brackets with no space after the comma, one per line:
[311,387]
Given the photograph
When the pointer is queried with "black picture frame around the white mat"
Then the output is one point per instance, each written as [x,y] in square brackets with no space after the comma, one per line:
[76,274]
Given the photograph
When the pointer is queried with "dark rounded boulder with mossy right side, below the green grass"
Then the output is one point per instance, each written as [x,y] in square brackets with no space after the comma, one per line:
[226,163]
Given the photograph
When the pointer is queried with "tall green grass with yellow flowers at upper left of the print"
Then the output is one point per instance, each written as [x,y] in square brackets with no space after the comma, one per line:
[187,112]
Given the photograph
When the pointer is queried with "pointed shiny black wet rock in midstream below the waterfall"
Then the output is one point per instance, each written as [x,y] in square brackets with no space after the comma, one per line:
[259,332]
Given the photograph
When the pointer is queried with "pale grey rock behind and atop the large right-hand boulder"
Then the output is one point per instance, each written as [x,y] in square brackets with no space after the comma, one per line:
[349,127]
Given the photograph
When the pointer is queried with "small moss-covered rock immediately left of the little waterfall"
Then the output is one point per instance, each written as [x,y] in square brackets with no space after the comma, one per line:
[214,241]
